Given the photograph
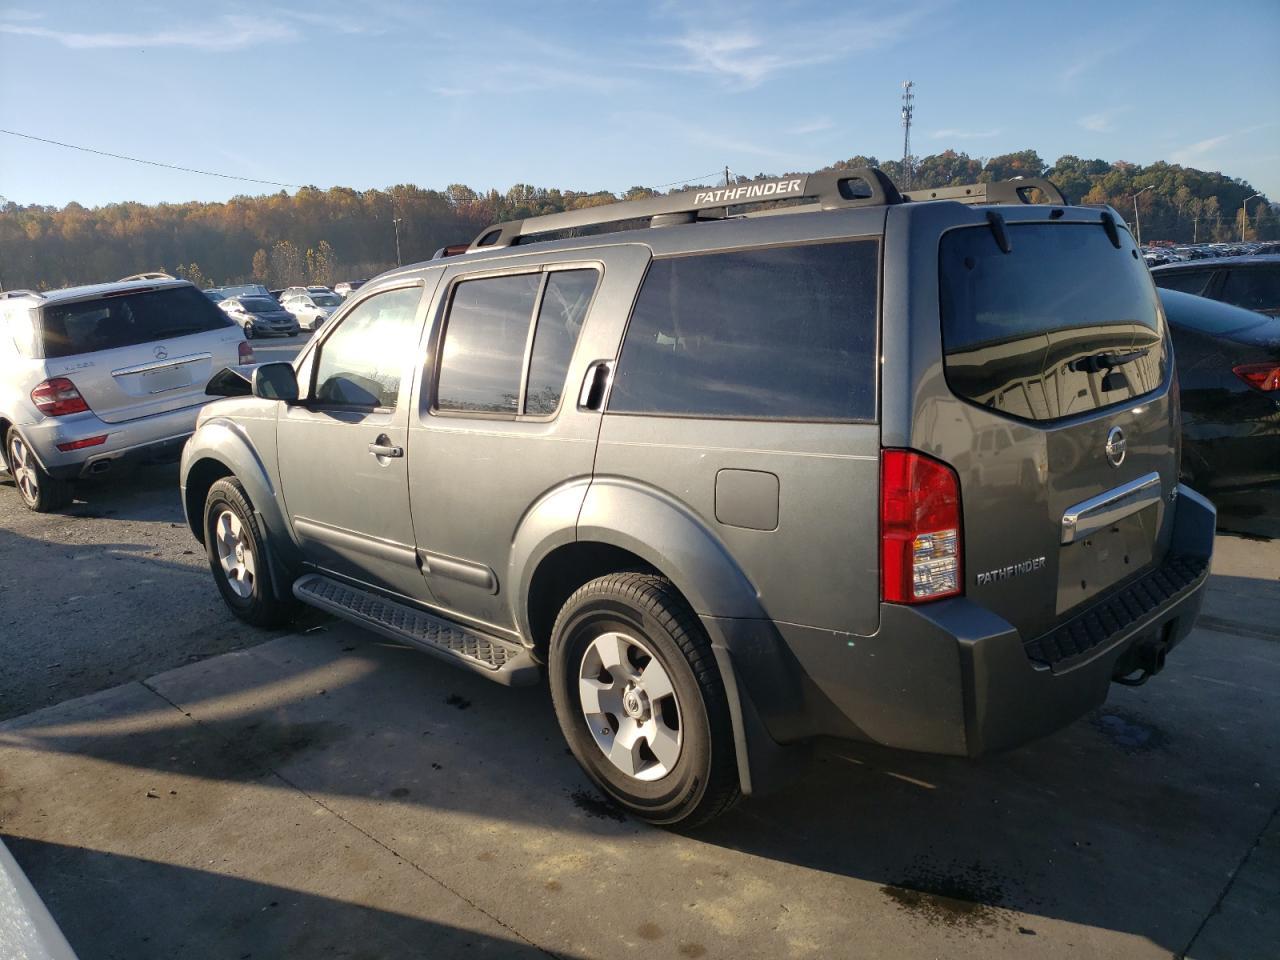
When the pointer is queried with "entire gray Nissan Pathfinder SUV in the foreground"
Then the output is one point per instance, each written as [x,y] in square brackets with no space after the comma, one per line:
[804,458]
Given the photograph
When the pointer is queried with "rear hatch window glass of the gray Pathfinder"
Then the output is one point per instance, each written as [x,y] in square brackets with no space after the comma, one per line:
[1062,326]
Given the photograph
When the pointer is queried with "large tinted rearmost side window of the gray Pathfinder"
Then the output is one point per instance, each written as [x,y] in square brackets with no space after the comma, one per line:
[783,333]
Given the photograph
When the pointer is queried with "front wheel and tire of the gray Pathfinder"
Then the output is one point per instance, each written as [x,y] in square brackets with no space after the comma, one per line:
[237,557]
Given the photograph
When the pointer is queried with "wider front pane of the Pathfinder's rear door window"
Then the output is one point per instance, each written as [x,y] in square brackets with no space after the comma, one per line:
[484,344]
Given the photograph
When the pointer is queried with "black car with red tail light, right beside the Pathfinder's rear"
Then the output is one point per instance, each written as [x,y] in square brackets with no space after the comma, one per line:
[1229,369]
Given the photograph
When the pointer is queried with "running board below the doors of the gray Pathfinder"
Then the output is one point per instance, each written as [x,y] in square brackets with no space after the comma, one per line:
[502,661]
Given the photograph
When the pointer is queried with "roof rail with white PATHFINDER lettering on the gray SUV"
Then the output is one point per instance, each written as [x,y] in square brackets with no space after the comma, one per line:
[830,190]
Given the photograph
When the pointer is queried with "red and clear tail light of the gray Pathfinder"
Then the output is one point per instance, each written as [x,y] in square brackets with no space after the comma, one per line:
[920,529]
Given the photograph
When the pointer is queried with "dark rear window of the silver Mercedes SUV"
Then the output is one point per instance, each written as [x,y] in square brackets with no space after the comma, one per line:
[124,321]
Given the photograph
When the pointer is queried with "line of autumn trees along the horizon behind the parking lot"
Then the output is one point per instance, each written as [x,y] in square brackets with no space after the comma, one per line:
[324,236]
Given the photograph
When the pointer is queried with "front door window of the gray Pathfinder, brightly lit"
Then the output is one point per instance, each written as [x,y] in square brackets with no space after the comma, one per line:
[360,365]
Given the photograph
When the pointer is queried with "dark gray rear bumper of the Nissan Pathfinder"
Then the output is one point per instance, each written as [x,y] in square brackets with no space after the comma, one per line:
[952,678]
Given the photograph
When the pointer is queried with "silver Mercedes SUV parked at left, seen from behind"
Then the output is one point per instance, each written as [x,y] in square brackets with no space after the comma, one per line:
[92,377]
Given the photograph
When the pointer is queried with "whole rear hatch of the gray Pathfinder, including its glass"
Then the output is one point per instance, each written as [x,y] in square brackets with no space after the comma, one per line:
[1060,423]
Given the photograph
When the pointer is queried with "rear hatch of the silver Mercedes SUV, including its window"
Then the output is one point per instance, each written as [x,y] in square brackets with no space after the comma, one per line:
[139,353]
